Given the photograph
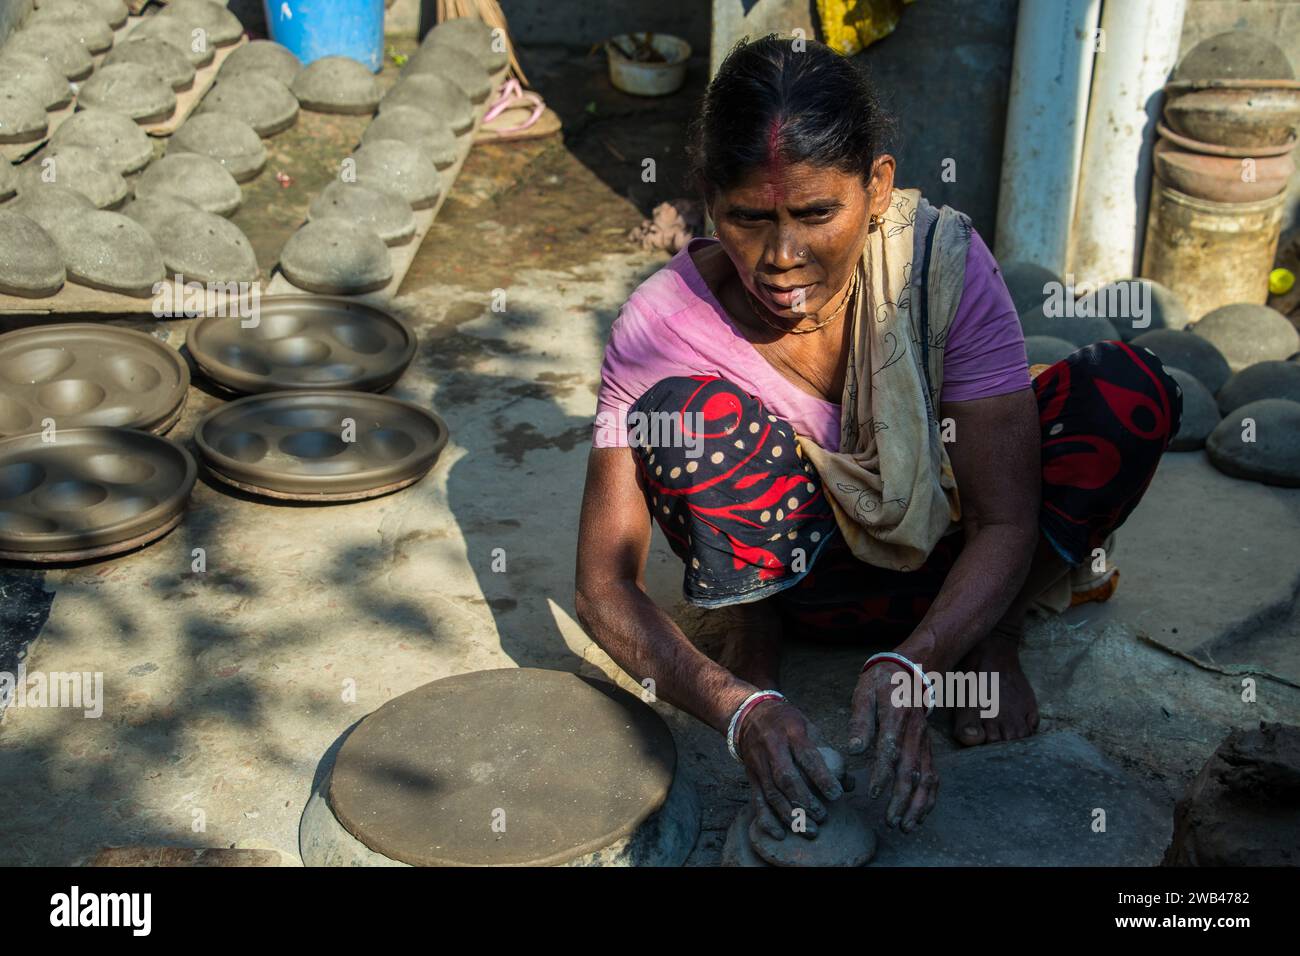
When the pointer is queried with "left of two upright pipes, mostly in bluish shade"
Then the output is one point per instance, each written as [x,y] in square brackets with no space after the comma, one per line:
[1051,71]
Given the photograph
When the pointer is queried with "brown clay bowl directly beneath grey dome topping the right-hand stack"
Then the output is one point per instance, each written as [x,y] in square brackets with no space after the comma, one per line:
[1236,118]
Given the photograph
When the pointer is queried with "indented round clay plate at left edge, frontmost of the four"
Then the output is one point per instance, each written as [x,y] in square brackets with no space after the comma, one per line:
[90,492]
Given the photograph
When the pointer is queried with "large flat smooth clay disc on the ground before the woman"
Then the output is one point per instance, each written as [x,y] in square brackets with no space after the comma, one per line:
[502,768]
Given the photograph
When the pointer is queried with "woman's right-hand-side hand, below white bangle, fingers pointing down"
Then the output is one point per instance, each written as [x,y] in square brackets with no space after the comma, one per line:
[902,737]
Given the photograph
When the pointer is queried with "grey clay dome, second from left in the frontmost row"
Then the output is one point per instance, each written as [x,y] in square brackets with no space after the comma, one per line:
[110,252]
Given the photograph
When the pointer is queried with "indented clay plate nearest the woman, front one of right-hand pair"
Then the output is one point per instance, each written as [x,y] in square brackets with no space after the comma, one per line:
[320,445]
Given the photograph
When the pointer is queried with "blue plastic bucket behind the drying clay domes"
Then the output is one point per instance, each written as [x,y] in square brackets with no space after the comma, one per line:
[314,29]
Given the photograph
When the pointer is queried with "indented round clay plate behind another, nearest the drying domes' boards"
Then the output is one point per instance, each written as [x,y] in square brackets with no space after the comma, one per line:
[304,343]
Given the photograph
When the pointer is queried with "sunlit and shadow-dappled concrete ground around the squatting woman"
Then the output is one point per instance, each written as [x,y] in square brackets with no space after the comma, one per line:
[226,687]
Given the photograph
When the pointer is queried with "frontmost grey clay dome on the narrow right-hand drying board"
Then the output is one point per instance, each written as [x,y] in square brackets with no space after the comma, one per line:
[336,258]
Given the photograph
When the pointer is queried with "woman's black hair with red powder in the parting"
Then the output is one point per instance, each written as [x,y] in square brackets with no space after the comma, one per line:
[788,101]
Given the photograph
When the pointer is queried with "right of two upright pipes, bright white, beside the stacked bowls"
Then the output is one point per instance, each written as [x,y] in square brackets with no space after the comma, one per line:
[1141,49]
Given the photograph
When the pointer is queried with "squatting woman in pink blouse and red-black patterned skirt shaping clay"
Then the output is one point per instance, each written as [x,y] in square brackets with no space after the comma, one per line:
[829,413]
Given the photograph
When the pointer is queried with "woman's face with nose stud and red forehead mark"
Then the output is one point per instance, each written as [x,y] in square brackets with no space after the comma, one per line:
[795,232]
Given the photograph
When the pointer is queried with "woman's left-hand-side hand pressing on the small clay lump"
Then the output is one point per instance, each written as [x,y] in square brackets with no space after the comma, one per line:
[786,772]
